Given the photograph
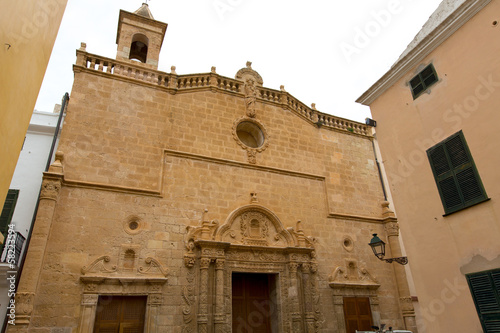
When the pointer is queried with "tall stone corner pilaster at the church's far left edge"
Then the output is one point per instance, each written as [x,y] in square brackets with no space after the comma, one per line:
[51,186]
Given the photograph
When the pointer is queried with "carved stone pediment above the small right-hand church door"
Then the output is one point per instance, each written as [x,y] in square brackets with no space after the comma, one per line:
[352,276]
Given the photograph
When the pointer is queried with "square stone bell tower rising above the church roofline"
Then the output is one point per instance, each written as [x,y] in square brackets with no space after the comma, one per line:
[139,37]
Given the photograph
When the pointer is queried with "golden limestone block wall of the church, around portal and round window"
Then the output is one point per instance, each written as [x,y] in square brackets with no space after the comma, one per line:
[138,153]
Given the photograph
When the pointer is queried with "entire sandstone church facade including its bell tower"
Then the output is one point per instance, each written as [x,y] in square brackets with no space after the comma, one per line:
[202,203]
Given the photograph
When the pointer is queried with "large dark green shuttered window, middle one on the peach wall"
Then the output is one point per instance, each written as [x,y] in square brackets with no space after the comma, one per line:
[456,175]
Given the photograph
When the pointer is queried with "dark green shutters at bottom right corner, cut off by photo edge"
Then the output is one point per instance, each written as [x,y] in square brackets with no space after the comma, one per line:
[485,290]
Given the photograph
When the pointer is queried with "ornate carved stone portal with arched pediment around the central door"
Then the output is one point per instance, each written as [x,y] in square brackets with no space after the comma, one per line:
[252,240]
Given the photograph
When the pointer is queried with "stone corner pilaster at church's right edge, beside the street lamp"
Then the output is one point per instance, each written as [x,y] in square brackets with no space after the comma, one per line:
[405,301]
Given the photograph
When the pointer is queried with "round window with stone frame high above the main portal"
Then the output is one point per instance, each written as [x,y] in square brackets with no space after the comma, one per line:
[255,129]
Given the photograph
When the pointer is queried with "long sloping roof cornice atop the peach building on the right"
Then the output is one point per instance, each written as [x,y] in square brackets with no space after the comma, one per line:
[442,32]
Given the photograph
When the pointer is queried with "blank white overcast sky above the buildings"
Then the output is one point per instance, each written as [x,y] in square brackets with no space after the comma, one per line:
[323,51]
